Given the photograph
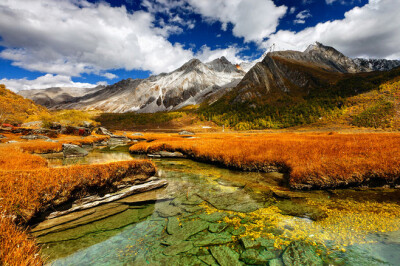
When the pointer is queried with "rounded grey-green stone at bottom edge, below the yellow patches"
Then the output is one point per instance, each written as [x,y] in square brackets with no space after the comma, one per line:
[299,253]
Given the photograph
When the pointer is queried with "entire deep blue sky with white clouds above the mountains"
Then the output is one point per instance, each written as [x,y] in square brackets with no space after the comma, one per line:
[89,42]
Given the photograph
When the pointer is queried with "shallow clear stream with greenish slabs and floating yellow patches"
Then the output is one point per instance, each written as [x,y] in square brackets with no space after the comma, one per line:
[214,216]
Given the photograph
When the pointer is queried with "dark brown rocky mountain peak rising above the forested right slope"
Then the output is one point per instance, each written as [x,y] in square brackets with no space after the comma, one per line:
[297,72]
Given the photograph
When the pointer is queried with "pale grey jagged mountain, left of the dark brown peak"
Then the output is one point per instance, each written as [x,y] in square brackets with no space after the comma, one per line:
[192,83]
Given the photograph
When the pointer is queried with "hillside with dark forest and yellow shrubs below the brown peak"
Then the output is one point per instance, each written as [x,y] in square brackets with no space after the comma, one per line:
[360,100]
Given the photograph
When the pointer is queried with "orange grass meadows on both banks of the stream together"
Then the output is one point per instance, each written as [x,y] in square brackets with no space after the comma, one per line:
[311,160]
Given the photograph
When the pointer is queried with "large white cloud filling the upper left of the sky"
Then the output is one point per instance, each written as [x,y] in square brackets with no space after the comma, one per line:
[72,37]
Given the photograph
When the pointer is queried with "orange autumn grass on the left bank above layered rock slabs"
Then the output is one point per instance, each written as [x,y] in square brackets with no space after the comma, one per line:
[28,186]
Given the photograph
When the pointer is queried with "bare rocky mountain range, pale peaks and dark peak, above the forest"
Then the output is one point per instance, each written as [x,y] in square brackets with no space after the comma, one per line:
[196,82]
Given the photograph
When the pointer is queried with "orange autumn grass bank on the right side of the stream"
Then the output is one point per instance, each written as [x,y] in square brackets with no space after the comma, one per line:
[312,160]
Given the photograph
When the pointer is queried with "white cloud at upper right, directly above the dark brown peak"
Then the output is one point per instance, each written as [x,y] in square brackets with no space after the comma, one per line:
[370,31]
